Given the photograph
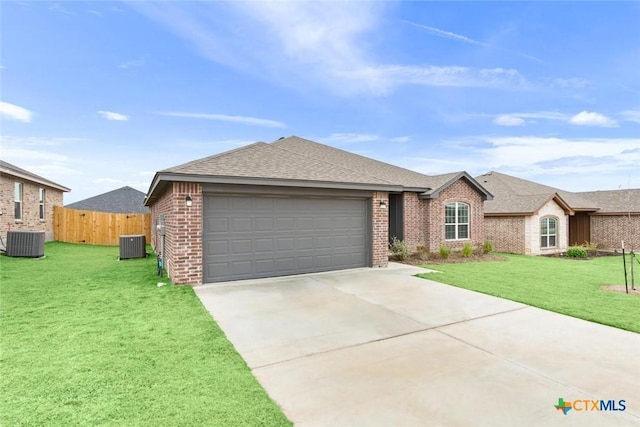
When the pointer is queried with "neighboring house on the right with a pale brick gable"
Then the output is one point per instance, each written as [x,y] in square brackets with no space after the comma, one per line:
[530,218]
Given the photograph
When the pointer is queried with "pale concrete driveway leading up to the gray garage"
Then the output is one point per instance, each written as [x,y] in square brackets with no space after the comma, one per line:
[379,347]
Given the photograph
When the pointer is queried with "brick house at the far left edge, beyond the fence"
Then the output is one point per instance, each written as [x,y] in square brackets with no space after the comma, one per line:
[27,201]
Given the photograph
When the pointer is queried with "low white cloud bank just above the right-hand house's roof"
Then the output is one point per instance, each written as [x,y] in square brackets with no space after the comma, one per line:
[552,160]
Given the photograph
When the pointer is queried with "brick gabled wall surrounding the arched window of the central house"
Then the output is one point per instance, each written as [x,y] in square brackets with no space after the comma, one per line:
[460,191]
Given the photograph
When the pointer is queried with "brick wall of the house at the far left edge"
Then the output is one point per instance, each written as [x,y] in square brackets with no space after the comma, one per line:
[30,207]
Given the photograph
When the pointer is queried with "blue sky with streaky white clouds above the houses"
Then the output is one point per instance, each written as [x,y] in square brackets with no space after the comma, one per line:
[98,95]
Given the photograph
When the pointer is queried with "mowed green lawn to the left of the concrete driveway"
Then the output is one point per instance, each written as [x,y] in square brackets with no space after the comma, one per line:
[87,340]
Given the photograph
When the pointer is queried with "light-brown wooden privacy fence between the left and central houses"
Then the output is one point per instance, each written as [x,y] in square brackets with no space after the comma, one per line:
[97,228]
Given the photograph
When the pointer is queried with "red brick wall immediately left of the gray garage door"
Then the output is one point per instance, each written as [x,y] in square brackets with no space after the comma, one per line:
[183,232]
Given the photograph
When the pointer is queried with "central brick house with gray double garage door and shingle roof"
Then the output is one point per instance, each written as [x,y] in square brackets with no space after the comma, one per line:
[297,206]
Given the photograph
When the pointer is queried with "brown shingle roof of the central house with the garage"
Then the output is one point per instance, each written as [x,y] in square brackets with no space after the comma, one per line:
[299,159]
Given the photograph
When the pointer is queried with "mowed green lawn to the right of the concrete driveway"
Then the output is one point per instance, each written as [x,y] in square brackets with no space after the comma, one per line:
[566,286]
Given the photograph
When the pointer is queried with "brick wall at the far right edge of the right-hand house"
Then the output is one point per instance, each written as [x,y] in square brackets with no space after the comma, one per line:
[609,230]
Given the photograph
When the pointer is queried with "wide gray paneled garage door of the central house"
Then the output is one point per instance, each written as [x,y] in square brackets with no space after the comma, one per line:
[254,236]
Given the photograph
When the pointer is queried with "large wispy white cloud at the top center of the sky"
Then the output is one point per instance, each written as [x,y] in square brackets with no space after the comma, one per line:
[323,43]
